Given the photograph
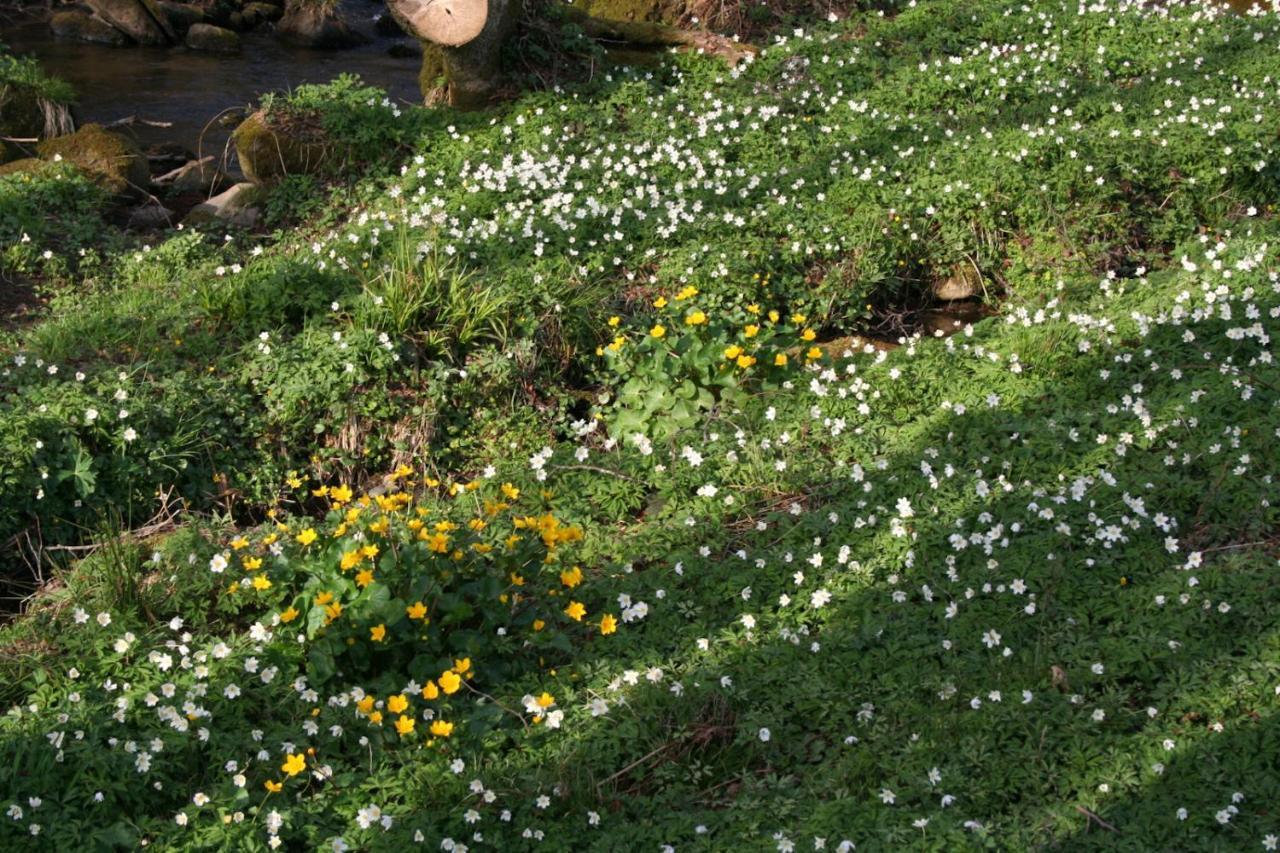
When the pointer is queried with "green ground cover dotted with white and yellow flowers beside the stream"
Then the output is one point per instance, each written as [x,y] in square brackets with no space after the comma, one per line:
[692,533]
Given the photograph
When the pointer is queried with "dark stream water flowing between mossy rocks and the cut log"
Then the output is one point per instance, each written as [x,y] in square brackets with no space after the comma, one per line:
[189,89]
